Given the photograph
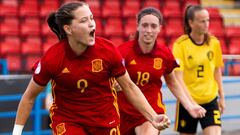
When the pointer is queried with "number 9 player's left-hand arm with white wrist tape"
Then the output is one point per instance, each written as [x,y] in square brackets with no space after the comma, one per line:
[25,106]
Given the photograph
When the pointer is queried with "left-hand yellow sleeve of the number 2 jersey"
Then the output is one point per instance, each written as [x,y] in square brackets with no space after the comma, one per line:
[178,56]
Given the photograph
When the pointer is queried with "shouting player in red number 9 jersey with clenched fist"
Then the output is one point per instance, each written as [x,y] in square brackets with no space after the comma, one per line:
[81,68]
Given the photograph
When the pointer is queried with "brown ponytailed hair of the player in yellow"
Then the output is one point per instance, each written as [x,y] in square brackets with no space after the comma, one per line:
[189,15]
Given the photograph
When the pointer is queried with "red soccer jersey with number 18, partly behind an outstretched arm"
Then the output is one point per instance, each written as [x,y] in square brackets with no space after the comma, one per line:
[146,71]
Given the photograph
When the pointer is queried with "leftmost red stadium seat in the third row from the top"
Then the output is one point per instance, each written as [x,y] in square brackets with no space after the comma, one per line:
[10,45]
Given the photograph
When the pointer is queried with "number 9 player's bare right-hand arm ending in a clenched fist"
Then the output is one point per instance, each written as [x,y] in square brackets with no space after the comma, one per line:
[138,100]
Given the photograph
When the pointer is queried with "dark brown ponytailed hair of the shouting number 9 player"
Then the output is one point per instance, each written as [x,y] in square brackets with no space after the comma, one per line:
[56,20]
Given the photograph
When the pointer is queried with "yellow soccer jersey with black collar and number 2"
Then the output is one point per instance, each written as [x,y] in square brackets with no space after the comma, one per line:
[198,63]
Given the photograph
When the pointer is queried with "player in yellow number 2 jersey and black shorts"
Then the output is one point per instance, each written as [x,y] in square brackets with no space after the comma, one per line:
[200,59]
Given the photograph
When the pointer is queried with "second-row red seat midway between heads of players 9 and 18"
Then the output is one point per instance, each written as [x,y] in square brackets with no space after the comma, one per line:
[113,27]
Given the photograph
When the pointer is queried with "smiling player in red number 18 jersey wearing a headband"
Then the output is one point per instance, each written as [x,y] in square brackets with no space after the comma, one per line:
[146,62]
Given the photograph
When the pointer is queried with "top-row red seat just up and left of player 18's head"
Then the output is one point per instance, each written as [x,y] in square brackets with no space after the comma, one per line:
[128,10]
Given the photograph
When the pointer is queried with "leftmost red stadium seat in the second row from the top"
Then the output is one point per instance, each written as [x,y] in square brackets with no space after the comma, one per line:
[9,26]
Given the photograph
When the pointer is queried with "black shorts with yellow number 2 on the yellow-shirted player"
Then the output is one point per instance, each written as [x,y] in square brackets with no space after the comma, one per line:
[185,123]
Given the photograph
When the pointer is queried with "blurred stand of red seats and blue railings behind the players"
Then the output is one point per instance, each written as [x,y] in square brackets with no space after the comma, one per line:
[25,37]
